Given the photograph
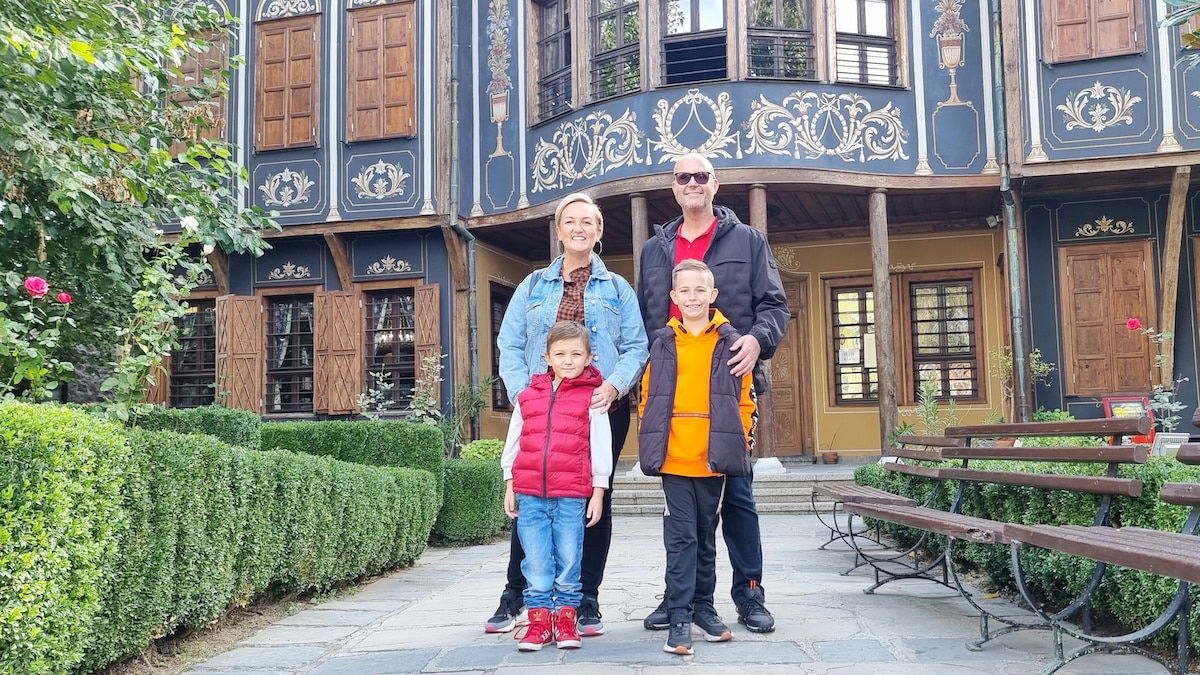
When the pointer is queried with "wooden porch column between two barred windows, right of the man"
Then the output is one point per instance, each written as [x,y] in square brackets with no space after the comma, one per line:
[885,344]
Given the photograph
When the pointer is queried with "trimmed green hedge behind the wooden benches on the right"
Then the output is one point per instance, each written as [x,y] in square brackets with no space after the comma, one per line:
[1130,598]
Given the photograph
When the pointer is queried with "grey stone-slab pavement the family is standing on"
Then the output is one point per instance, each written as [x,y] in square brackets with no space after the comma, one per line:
[429,619]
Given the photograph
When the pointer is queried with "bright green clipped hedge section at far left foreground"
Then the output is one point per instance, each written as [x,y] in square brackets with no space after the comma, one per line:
[62,474]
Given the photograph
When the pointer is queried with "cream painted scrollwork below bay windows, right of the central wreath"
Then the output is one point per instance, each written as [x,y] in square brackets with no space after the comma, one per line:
[826,126]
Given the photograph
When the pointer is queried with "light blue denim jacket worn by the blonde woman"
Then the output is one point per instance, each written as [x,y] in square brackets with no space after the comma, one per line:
[610,313]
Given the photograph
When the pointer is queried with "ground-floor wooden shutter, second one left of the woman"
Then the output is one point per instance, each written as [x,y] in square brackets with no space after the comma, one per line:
[339,360]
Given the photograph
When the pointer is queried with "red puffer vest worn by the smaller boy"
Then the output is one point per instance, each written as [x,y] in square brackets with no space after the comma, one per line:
[555,457]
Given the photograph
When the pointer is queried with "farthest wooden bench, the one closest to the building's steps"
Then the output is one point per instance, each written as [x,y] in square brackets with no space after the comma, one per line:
[913,453]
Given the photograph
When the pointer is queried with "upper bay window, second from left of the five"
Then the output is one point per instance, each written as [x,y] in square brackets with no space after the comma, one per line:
[616,39]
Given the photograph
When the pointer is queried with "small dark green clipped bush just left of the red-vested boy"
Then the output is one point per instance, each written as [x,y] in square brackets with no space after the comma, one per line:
[473,503]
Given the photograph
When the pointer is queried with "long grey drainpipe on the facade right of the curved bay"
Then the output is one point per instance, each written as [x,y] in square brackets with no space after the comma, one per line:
[1017,284]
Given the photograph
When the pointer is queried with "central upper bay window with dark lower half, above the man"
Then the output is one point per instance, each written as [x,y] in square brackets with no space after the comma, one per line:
[694,41]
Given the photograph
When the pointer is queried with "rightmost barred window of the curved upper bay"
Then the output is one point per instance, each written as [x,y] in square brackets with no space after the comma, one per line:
[867,44]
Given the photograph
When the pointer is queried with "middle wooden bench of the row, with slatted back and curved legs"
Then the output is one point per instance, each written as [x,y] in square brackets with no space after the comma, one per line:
[956,525]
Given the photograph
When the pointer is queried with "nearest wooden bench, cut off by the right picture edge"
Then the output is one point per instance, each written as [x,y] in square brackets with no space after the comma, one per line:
[1175,555]
